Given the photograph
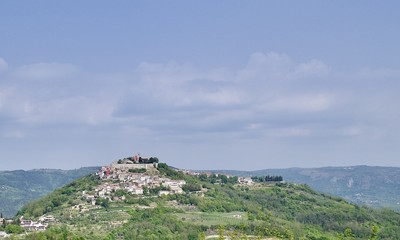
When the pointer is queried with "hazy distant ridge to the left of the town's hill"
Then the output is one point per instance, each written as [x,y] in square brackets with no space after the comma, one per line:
[19,187]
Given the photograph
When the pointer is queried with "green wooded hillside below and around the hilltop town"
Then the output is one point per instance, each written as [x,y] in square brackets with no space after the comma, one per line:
[211,207]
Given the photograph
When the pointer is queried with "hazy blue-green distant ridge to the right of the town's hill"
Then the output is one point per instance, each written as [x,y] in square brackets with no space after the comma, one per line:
[367,185]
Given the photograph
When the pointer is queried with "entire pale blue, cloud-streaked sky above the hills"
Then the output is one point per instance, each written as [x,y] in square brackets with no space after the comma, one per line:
[241,85]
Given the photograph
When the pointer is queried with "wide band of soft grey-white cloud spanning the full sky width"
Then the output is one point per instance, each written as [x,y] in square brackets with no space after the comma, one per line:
[271,100]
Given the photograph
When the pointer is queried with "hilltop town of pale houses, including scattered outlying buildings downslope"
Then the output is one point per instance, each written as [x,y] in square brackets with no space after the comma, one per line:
[123,181]
